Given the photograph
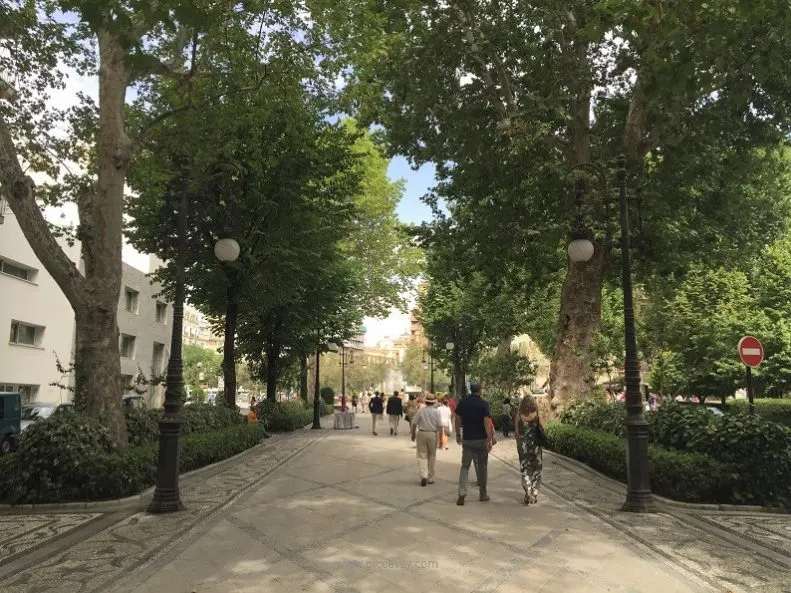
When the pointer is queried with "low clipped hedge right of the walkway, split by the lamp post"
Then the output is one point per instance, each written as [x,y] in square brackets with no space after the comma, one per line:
[682,476]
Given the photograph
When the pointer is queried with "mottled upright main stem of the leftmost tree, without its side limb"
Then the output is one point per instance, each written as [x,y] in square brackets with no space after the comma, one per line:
[98,380]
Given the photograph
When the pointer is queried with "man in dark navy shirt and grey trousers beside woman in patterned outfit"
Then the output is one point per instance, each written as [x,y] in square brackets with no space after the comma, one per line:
[475,436]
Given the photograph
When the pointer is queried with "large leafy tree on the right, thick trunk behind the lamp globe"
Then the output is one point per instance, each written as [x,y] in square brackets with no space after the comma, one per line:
[504,99]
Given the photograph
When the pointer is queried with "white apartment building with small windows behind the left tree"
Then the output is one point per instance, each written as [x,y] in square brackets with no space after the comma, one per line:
[40,324]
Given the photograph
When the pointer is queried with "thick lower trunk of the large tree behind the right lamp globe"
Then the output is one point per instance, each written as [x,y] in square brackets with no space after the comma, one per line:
[570,372]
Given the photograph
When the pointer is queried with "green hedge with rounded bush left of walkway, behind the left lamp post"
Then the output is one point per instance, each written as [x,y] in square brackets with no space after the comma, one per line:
[70,458]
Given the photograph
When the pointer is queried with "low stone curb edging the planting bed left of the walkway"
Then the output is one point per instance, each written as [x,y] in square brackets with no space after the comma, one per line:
[130,501]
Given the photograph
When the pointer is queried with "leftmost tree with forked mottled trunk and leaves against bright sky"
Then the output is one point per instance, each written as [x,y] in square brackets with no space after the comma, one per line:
[124,45]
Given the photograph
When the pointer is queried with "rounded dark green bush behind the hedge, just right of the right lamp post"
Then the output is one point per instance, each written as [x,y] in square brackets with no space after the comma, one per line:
[684,427]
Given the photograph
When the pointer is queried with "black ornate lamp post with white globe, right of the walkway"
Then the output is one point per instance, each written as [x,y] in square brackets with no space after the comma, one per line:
[580,250]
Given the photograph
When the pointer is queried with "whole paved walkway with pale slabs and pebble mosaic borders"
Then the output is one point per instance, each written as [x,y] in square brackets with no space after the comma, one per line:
[343,511]
